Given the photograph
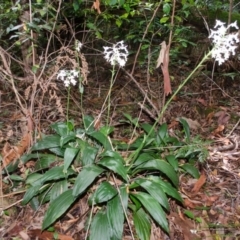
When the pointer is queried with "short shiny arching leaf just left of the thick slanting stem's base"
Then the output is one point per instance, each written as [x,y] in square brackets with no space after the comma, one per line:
[116,165]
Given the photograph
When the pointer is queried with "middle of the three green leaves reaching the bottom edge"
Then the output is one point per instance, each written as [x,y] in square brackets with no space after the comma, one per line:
[115,216]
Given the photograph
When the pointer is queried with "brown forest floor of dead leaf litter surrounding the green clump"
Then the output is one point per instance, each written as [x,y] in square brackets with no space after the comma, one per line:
[211,106]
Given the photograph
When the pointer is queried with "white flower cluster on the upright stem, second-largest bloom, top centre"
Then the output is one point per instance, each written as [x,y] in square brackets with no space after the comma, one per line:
[117,54]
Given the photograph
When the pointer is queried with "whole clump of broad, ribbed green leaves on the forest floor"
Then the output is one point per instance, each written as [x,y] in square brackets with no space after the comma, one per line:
[138,185]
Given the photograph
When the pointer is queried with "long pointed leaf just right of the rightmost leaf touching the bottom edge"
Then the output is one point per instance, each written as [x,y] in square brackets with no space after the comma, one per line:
[154,209]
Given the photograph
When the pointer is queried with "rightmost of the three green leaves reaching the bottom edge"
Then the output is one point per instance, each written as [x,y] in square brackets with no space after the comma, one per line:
[142,224]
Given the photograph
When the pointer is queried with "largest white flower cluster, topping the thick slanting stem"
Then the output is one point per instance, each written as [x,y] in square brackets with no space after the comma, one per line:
[224,44]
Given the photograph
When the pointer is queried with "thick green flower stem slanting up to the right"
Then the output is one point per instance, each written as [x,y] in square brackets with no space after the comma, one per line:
[135,154]
